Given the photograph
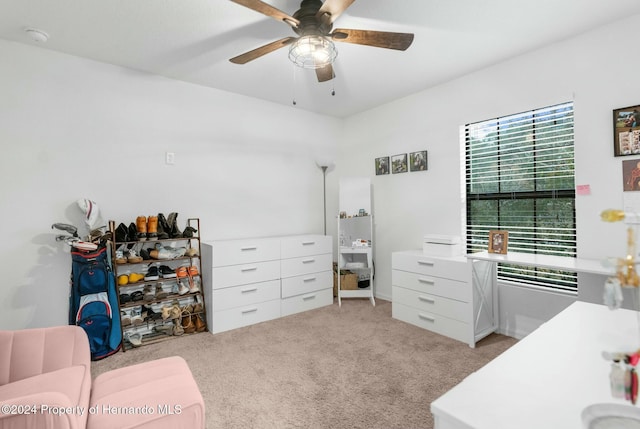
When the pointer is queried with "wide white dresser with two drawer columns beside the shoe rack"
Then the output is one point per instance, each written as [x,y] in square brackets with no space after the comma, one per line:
[255,280]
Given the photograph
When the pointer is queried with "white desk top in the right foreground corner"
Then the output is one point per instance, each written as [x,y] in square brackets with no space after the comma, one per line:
[546,379]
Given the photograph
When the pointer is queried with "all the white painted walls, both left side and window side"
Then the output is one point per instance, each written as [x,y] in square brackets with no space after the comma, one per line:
[75,128]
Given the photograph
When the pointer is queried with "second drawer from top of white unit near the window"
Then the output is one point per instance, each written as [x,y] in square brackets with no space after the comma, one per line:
[454,289]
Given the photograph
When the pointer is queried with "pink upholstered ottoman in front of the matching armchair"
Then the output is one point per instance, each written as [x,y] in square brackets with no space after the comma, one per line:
[157,394]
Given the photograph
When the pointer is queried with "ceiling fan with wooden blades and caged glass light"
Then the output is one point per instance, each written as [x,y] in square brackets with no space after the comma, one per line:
[314,47]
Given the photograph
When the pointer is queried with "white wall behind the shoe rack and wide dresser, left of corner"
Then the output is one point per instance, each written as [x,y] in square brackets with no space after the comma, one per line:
[73,128]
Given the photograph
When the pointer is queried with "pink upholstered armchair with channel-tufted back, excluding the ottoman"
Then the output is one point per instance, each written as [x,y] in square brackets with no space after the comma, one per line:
[45,378]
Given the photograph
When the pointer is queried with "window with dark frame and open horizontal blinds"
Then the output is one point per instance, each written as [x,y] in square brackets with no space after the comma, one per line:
[520,178]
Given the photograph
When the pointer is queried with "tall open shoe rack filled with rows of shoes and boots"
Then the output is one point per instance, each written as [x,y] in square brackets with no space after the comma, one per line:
[159,279]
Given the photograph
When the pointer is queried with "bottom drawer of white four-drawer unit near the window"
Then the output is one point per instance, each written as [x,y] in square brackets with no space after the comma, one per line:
[433,322]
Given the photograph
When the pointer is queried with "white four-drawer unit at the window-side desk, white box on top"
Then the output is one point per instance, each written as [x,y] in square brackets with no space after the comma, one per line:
[437,293]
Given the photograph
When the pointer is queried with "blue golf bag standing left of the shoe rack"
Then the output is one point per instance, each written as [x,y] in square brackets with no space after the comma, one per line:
[93,300]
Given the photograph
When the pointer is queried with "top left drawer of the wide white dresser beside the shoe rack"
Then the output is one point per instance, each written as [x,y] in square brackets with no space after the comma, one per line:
[234,252]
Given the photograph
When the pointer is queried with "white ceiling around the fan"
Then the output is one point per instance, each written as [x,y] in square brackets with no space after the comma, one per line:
[192,40]
